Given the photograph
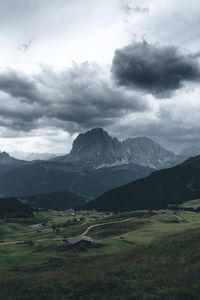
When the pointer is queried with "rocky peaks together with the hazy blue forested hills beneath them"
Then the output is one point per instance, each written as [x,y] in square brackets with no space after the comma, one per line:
[96,164]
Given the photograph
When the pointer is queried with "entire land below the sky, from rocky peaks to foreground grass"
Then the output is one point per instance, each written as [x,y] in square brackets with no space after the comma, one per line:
[110,220]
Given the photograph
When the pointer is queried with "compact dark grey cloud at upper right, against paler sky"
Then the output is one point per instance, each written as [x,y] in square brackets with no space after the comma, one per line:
[156,70]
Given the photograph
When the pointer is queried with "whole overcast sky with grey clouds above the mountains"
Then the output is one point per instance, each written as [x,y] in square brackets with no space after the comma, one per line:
[129,66]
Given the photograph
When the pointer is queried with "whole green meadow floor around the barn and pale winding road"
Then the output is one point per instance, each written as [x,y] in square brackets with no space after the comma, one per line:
[151,255]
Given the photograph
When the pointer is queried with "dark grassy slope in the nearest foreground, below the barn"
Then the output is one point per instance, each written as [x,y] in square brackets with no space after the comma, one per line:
[165,269]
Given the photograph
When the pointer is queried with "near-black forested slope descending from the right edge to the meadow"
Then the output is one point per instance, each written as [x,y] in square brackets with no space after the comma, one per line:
[168,186]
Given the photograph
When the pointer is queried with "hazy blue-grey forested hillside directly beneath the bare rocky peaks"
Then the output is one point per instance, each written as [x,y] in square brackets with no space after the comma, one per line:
[48,177]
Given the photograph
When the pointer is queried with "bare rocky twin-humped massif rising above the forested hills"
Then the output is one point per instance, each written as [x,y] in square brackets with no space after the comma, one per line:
[96,148]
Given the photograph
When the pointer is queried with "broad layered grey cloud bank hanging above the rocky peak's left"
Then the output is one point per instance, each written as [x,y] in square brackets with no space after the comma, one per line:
[76,98]
